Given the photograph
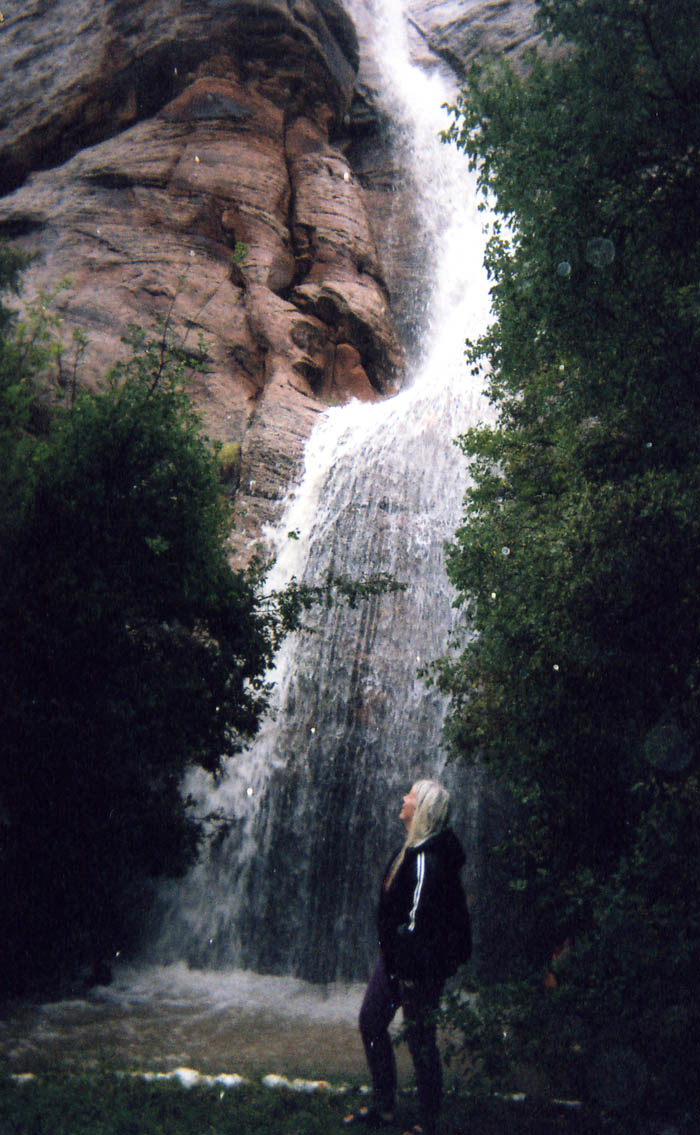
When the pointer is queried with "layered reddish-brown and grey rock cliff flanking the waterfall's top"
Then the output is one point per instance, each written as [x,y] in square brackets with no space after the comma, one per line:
[222,164]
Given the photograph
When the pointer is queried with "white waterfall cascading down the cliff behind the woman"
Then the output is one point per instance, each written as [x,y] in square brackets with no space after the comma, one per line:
[314,804]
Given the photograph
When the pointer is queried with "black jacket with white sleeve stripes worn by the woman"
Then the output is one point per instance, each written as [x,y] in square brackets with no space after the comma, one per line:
[423,920]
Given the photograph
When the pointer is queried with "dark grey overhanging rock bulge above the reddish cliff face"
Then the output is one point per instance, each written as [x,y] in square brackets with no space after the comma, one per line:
[75,72]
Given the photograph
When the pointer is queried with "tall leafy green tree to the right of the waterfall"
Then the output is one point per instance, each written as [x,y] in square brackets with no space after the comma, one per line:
[577,559]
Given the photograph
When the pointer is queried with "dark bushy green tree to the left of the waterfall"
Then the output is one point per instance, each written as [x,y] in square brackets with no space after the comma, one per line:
[131,650]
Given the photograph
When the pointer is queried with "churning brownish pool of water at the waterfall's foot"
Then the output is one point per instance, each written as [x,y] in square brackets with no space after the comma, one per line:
[163,1019]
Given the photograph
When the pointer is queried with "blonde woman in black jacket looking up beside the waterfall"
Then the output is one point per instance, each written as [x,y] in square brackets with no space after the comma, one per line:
[424,937]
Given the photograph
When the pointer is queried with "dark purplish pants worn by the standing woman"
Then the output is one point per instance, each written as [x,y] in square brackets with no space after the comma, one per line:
[383,998]
